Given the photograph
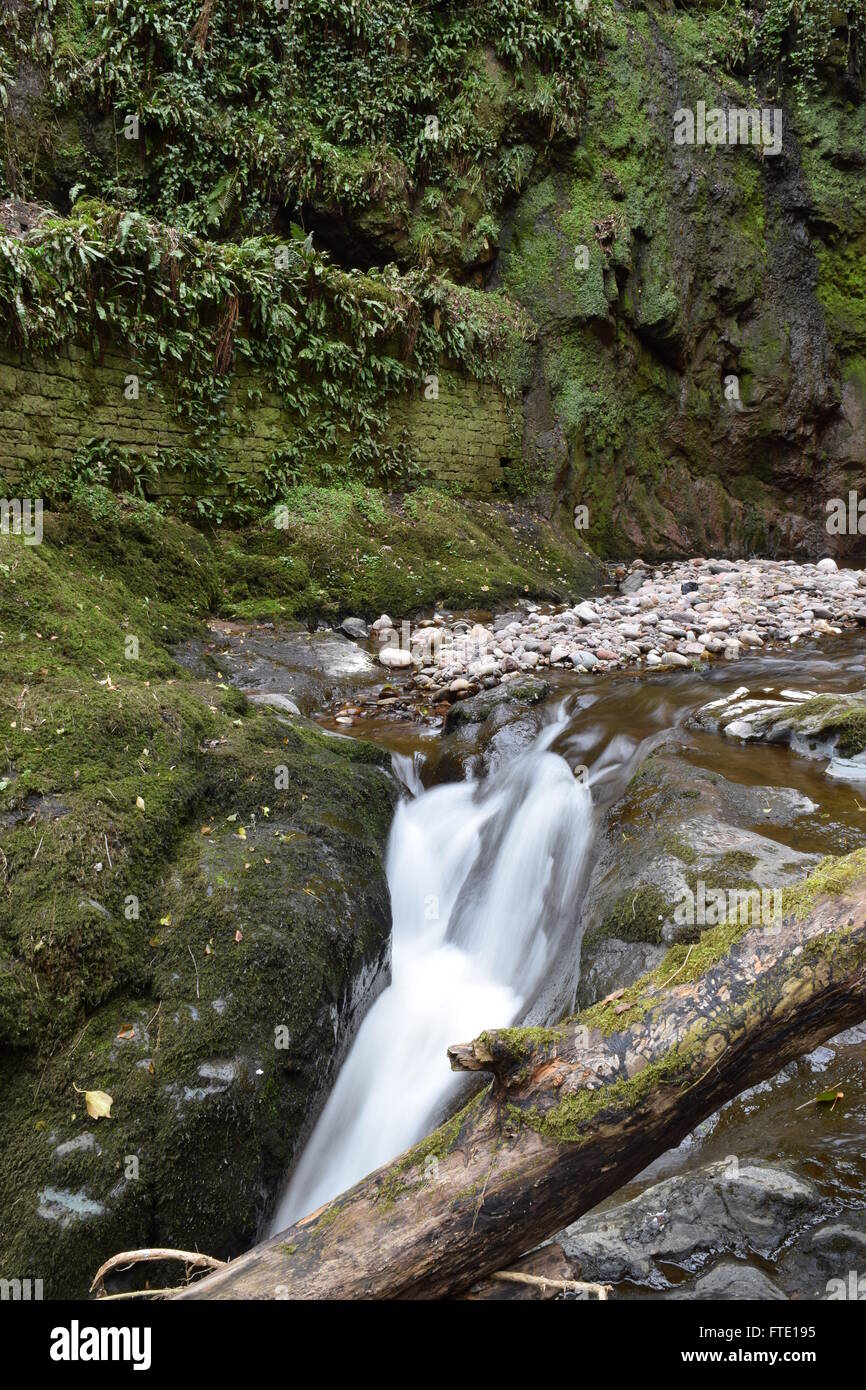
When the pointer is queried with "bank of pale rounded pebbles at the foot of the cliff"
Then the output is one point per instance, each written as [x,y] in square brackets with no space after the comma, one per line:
[665,618]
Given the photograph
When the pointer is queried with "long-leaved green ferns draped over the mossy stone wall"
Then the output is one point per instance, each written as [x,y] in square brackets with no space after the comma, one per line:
[334,345]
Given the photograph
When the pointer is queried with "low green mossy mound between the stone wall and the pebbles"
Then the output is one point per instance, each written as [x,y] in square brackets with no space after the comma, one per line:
[354,550]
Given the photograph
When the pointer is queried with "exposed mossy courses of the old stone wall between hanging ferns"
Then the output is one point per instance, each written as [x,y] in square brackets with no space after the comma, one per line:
[49,408]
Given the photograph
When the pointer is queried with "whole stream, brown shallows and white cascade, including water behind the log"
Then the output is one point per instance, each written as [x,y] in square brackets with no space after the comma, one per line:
[489,862]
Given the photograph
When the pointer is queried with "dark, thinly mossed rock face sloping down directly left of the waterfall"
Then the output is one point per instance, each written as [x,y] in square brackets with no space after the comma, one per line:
[269,939]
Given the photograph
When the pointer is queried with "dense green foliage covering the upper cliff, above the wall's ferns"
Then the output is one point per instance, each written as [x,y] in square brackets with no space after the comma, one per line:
[341,98]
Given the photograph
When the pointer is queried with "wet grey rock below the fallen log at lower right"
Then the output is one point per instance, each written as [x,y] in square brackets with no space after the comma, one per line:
[685,1220]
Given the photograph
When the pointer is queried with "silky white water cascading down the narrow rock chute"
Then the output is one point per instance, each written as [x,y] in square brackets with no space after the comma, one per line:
[486,885]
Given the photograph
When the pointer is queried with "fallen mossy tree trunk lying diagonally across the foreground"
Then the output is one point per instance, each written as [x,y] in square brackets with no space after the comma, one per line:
[576,1111]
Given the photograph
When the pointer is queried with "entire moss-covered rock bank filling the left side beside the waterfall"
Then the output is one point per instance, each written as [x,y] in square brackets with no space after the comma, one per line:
[194,910]
